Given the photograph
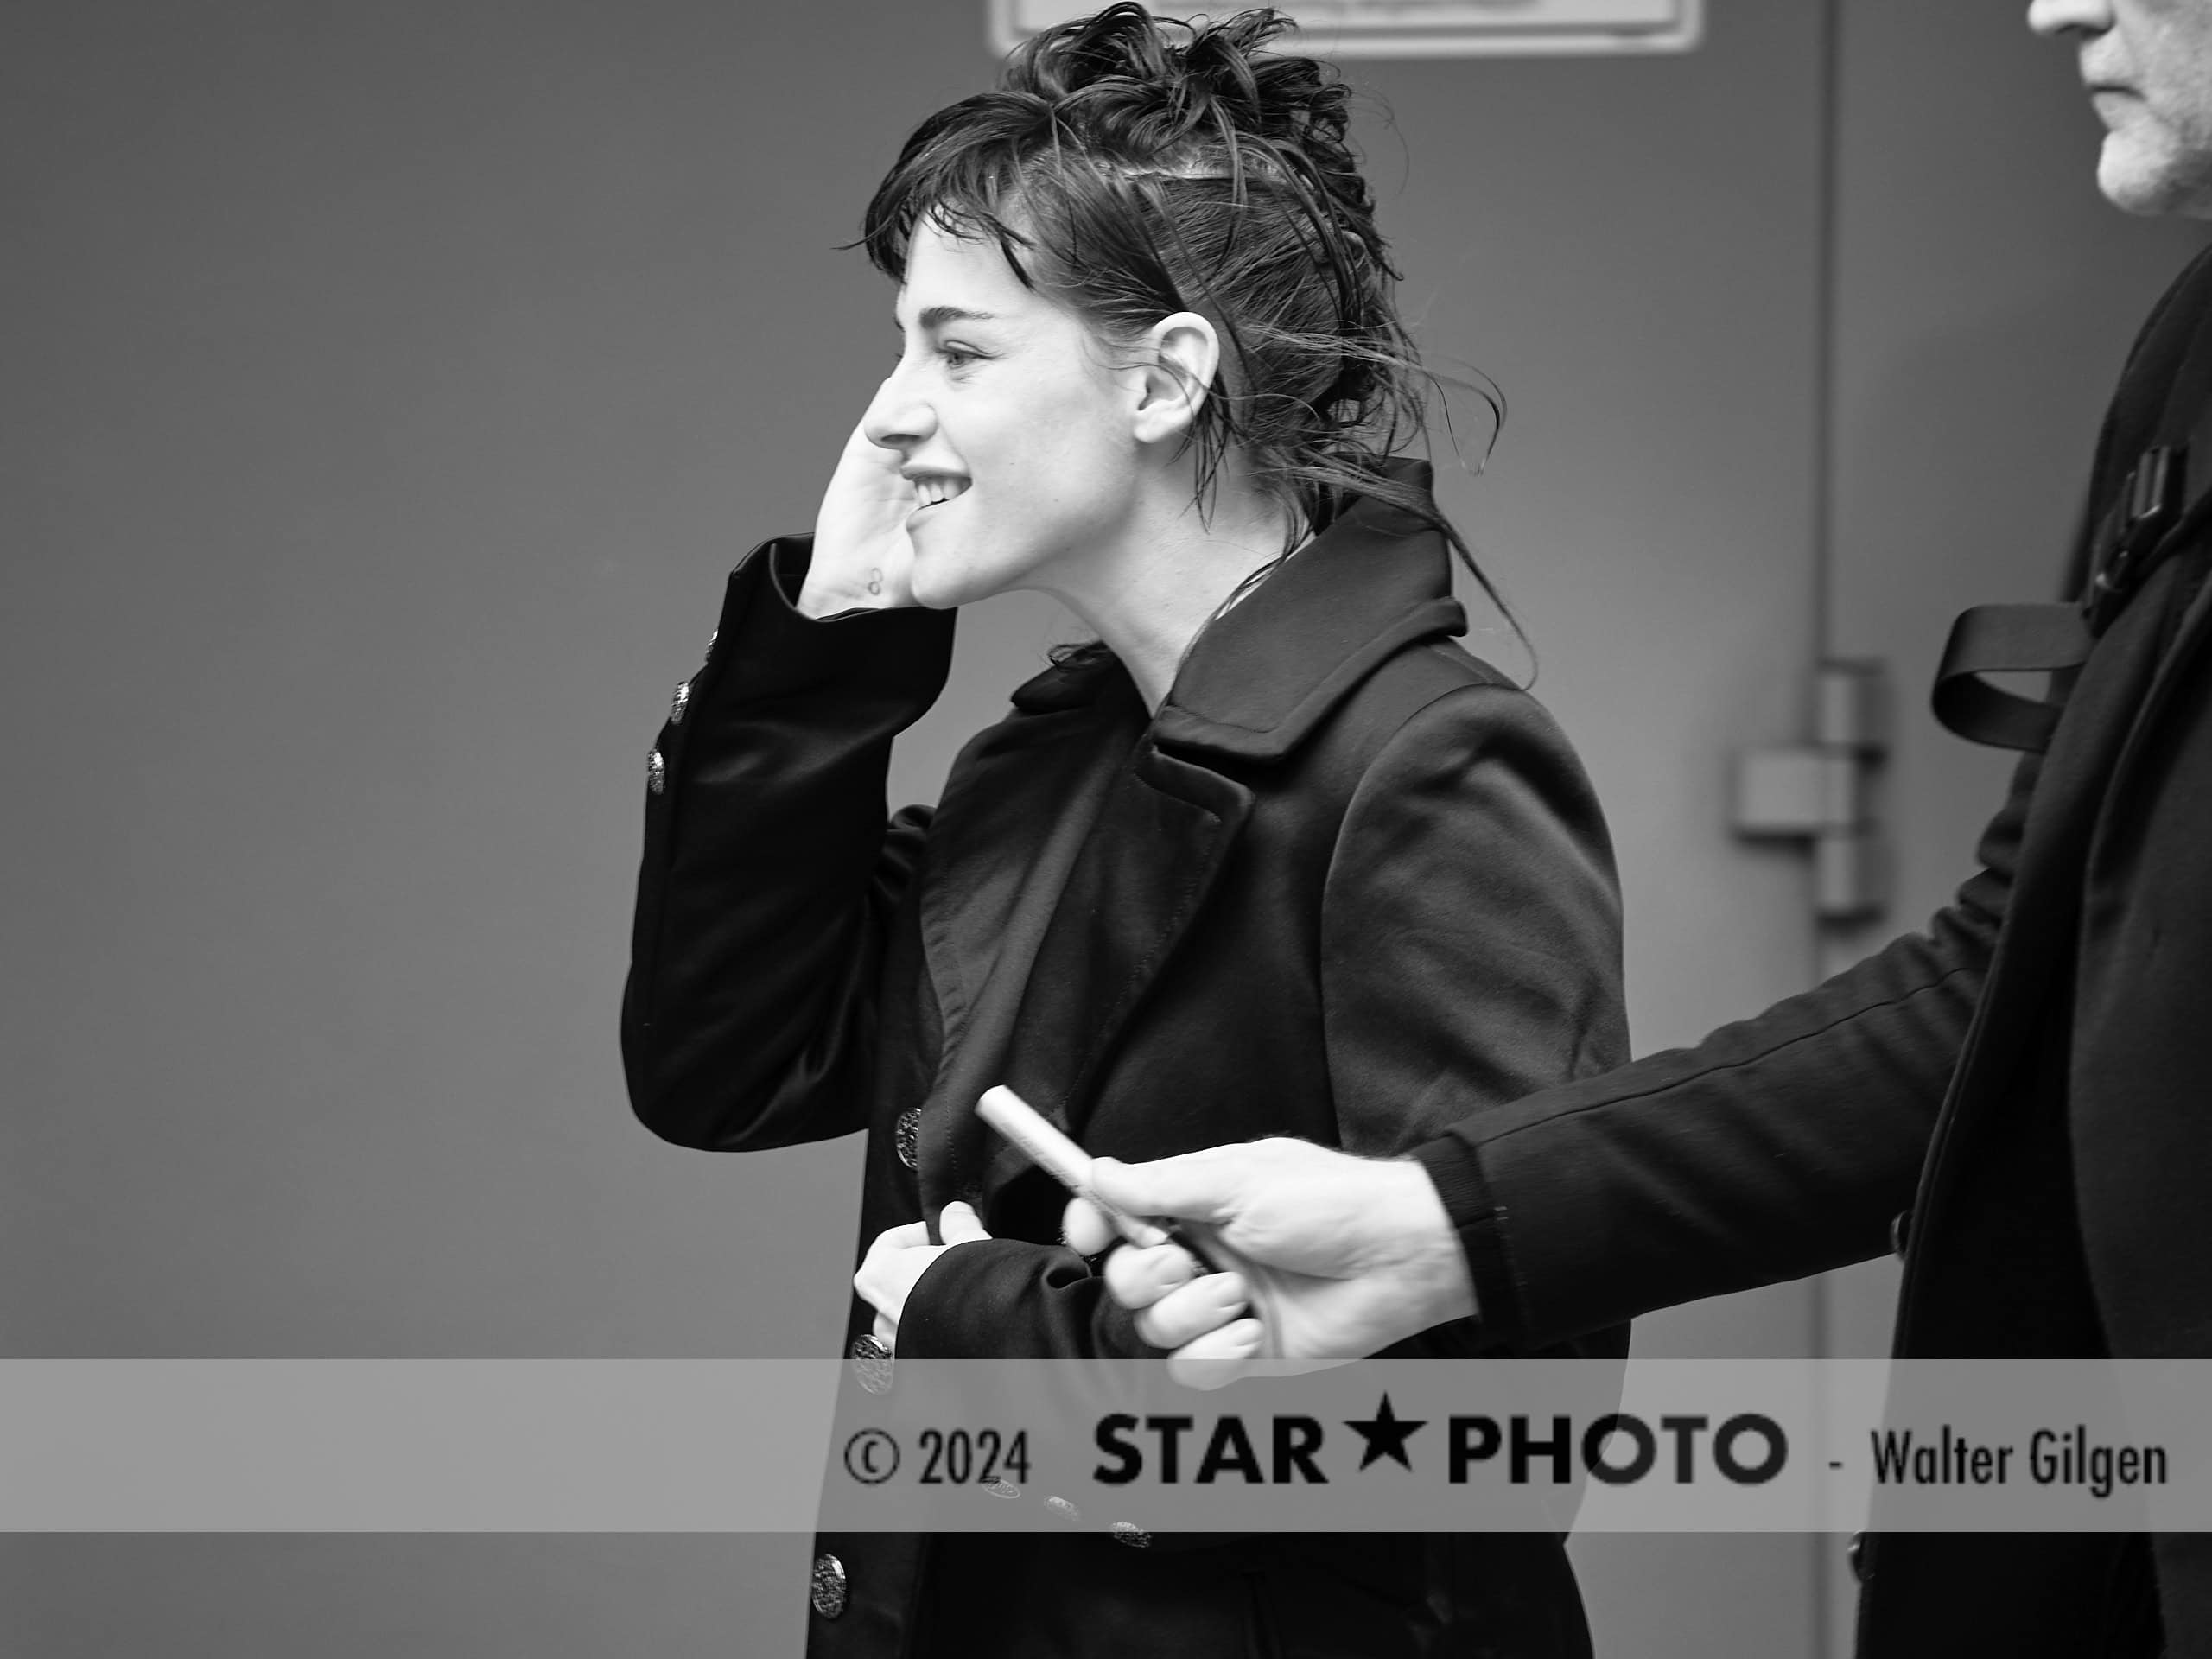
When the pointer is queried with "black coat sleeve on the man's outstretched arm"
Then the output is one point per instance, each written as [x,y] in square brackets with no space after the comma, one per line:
[1775,1149]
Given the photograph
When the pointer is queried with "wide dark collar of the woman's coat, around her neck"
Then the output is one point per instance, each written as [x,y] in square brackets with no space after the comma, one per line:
[1264,674]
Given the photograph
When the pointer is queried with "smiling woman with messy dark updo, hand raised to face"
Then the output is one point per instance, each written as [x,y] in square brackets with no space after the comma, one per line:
[1271,857]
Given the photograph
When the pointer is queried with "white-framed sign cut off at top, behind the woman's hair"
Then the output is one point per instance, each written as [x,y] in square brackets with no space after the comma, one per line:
[1421,28]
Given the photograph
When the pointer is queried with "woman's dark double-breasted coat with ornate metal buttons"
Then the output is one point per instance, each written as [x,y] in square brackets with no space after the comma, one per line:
[1348,886]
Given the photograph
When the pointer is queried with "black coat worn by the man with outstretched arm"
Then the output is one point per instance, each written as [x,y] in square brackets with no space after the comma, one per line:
[2018,1098]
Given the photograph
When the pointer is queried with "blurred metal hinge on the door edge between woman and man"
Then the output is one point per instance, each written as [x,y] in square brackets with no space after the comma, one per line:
[1822,791]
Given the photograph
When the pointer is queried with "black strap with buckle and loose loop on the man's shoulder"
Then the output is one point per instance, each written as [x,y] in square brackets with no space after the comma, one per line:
[2167,483]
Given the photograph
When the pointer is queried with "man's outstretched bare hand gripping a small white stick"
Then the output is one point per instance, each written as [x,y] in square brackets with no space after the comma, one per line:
[1337,1255]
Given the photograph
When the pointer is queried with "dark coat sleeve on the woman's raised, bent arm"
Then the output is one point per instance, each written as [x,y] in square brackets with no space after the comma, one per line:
[771,873]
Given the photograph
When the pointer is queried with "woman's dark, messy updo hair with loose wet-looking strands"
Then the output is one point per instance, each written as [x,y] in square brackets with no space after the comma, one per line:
[1131,167]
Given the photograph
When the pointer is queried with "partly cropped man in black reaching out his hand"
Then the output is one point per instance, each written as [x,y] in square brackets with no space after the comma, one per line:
[2016,1098]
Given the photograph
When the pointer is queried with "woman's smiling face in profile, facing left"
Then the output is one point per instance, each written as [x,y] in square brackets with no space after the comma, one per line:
[1005,417]
